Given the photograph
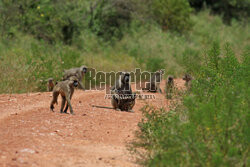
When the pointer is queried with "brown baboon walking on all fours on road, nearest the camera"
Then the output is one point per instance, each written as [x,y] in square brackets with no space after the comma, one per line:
[66,89]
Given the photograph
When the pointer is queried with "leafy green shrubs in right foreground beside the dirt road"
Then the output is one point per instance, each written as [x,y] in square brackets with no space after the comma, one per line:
[211,128]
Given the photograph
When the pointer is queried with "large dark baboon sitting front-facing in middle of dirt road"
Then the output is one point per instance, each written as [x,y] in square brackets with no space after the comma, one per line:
[122,97]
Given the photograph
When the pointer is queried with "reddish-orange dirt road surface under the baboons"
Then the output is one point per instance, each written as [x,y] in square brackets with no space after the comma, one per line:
[32,135]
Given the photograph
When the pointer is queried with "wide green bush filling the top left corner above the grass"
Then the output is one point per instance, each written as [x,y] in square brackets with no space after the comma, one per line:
[47,20]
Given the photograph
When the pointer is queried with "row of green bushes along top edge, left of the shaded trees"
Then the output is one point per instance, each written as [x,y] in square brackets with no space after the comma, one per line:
[64,21]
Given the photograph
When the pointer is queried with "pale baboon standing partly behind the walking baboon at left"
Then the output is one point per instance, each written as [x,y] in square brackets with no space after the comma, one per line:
[78,72]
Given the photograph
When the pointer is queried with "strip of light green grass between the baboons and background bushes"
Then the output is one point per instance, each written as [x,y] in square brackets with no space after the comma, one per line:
[26,62]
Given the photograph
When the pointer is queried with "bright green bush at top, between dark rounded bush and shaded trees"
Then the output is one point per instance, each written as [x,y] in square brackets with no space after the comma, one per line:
[171,15]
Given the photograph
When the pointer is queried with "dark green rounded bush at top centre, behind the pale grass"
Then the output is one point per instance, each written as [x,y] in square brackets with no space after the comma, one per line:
[109,18]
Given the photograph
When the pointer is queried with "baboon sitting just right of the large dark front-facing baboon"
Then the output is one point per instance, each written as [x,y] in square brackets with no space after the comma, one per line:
[154,84]
